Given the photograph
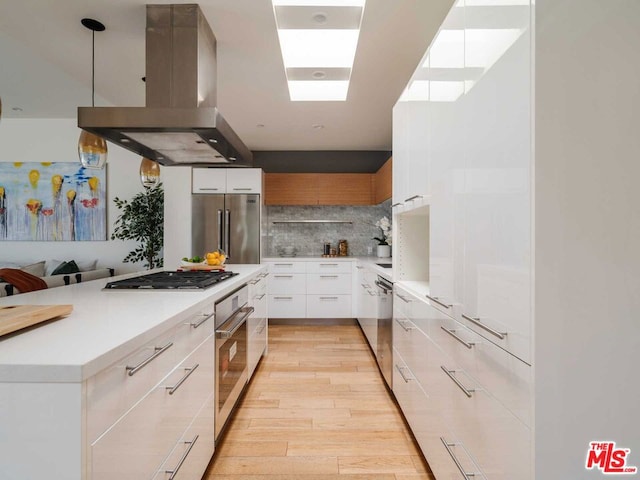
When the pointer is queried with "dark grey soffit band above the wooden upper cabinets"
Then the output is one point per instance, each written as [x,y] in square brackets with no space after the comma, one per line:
[320,161]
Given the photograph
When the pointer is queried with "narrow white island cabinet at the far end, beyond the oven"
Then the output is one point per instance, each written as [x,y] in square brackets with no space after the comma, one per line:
[257,327]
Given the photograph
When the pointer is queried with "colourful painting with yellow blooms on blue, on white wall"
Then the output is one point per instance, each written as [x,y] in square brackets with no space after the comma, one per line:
[59,201]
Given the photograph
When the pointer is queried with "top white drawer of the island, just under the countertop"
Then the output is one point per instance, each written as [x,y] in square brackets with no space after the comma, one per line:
[114,390]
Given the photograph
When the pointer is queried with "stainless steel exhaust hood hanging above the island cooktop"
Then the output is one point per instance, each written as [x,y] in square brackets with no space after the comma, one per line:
[180,124]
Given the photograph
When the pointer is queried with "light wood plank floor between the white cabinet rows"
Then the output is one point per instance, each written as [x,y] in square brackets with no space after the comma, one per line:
[317,409]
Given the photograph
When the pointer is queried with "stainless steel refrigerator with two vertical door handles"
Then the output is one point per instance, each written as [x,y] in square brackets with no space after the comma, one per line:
[226,222]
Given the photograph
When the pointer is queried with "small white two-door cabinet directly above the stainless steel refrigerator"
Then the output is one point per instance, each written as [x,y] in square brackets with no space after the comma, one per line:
[227,180]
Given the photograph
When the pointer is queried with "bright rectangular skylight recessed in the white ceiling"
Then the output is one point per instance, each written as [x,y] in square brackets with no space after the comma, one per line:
[318,40]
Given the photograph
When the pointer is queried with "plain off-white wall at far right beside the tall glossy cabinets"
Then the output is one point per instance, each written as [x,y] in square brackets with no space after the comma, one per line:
[587,219]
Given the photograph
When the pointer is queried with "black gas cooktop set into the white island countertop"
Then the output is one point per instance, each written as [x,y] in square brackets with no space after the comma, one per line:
[172,280]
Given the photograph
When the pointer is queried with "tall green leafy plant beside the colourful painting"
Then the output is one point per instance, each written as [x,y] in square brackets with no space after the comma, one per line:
[142,219]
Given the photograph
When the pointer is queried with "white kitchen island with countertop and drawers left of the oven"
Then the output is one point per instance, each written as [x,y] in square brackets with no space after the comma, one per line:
[86,393]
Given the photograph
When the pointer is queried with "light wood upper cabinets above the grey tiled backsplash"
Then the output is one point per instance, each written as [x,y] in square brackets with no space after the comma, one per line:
[328,188]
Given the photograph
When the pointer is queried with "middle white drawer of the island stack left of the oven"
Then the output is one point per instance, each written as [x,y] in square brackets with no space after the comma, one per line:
[138,442]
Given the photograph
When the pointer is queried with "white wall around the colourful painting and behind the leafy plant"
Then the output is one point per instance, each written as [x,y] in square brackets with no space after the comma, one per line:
[56,140]
